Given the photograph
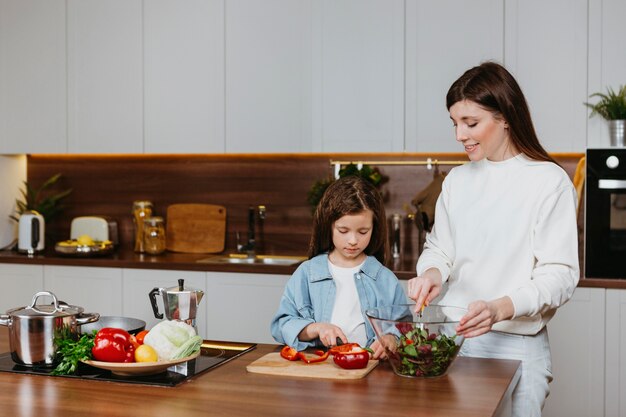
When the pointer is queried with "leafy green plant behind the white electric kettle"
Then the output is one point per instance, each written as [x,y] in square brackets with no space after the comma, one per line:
[42,199]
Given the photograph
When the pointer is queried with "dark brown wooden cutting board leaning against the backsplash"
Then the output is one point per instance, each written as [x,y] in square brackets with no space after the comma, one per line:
[195,228]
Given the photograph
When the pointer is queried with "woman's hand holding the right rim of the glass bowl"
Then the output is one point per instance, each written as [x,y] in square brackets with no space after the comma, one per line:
[482,315]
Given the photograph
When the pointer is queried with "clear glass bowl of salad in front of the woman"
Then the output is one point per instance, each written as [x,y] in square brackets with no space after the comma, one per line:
[422,344]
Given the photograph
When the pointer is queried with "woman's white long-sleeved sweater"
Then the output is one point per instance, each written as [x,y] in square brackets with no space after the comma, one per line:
[506,229]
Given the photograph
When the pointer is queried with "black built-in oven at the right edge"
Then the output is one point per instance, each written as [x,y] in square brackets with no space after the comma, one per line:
[605,213]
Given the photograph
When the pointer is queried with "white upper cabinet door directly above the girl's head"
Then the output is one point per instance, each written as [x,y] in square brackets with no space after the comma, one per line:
[358,72]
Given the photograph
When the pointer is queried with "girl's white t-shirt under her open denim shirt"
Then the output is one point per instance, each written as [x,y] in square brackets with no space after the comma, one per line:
[347,309]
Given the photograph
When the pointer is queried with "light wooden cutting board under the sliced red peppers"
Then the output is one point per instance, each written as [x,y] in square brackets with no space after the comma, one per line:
[274,364]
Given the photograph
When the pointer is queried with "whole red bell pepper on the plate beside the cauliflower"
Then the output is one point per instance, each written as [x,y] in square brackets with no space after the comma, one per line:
[114,345]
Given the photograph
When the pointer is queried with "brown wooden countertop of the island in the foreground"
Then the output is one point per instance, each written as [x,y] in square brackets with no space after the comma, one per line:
[473,387]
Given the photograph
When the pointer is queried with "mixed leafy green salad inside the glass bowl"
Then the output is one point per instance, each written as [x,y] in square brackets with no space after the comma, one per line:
[421,353]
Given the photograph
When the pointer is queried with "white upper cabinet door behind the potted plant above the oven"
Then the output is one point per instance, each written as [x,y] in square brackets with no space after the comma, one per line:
[606,61]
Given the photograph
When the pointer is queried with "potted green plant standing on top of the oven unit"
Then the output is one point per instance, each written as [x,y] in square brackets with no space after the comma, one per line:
[612,107]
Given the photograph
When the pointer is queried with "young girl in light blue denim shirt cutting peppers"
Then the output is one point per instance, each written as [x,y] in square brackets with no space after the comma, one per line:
[327,296]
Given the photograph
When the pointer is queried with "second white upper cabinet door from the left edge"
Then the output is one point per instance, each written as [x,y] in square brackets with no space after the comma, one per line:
[105,76]
